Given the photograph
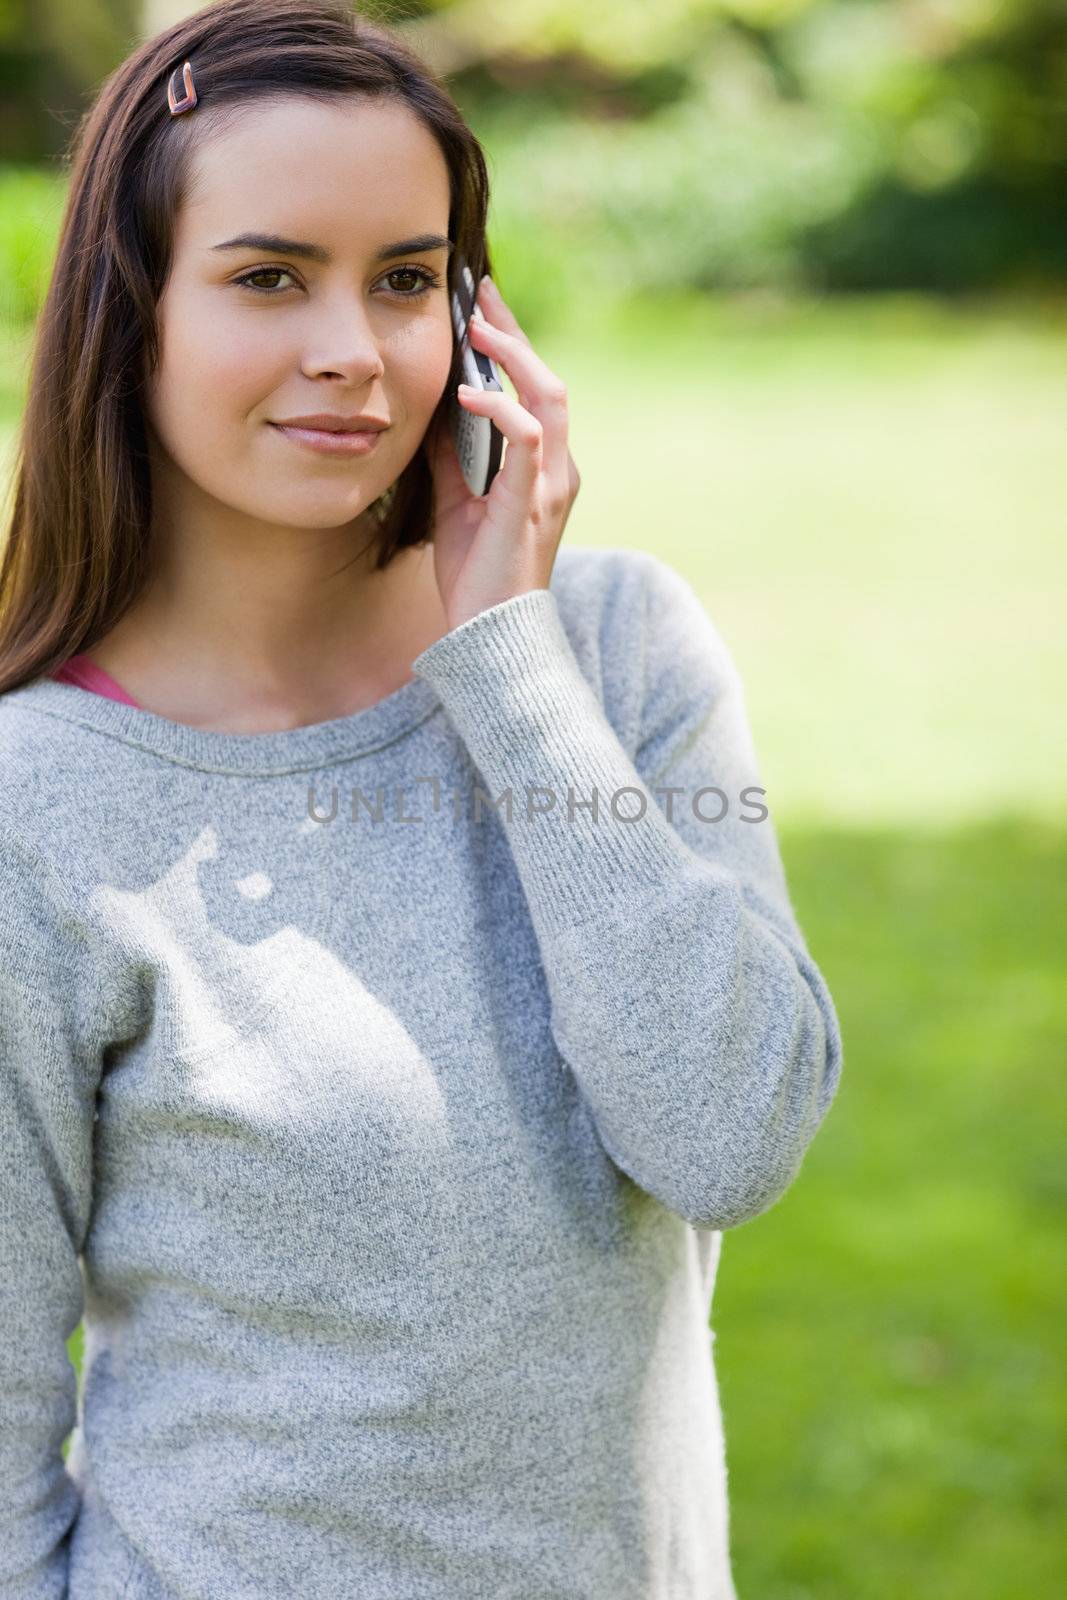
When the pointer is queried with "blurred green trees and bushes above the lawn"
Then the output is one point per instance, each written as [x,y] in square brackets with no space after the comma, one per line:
[791,145]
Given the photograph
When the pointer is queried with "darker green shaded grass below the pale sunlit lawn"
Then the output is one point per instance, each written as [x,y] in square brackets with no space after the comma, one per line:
[889,1335]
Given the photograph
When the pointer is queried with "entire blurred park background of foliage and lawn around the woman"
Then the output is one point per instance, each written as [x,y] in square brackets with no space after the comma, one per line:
[804,270]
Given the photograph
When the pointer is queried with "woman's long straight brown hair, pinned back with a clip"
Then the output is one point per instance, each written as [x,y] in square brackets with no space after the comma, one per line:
[78,551]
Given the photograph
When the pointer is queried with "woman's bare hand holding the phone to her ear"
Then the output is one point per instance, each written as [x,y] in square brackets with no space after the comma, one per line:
[502,545]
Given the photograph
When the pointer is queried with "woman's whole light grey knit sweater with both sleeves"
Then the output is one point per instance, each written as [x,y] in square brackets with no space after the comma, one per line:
[380,1105]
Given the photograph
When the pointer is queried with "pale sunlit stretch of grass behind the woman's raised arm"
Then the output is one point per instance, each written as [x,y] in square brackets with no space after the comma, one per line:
[869,500]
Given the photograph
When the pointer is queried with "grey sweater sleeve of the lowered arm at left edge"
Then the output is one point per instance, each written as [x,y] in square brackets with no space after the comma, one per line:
[47,1106]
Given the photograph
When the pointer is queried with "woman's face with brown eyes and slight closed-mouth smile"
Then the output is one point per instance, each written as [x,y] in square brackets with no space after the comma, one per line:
[332,329]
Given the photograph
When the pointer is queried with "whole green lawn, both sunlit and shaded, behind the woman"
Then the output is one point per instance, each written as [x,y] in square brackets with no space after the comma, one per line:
[869,500]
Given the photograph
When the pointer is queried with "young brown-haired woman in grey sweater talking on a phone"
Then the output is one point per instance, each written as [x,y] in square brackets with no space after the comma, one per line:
[399,985]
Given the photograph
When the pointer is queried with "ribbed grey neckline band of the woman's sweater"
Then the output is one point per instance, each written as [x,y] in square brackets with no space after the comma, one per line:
[239,754]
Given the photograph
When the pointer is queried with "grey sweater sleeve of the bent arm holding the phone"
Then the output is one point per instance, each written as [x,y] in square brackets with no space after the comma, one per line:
[682,994]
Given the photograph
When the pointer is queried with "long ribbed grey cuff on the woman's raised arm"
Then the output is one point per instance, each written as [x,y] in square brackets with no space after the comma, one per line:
[516,694]
